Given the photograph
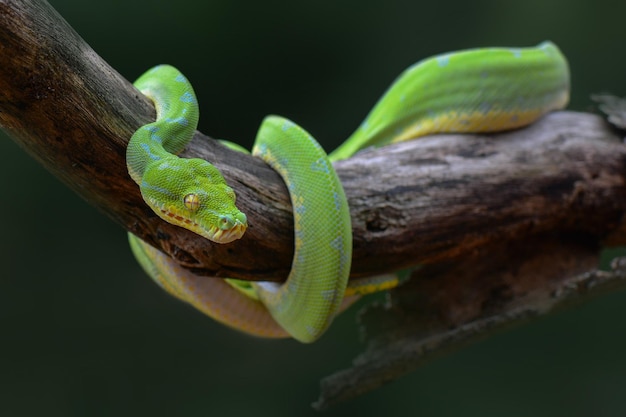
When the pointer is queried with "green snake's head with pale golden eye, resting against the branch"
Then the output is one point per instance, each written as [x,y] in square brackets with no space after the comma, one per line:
[191,193]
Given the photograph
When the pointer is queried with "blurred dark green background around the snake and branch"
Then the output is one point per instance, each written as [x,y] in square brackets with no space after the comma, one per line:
[85,333]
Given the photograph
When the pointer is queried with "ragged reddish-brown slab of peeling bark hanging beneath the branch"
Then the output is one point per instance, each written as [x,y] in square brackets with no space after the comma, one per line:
[447,306]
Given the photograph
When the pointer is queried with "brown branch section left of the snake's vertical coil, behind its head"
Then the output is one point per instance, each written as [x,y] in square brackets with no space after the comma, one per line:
[74,113]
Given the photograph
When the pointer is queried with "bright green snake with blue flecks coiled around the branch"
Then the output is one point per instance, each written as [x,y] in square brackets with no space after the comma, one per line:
[476,90]
